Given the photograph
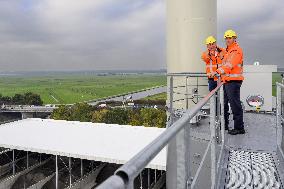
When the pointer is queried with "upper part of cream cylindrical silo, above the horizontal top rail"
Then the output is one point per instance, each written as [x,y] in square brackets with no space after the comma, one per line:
[189,22]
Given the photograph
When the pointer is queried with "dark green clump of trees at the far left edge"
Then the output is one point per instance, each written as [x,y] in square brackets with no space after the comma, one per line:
[28,98]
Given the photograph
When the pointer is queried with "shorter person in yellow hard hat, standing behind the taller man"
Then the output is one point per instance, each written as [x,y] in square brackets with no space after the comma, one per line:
[213,59]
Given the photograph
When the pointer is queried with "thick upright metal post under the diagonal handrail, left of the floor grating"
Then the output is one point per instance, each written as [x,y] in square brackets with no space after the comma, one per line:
[213,137]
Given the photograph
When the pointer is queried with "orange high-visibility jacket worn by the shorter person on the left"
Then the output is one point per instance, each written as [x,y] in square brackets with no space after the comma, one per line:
[213,62]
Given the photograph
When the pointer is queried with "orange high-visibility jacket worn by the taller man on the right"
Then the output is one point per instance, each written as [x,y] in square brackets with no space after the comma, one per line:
[232,65]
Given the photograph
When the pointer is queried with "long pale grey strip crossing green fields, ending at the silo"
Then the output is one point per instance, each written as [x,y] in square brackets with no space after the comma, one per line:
[135,95]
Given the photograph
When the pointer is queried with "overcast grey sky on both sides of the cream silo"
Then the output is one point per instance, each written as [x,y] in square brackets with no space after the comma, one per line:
[121,34]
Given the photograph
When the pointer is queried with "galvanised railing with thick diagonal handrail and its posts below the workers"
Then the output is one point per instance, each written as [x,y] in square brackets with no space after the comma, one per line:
[125,175]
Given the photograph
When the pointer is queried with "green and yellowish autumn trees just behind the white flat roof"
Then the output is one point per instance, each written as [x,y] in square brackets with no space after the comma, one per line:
[148,117]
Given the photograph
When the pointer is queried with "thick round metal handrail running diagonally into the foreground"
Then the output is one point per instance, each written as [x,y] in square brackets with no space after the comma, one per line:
[126,174]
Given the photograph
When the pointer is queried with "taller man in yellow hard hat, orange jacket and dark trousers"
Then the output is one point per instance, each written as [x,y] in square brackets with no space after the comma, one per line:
[231,73]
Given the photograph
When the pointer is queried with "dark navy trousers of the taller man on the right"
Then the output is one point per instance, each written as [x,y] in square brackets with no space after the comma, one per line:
[232,96]
